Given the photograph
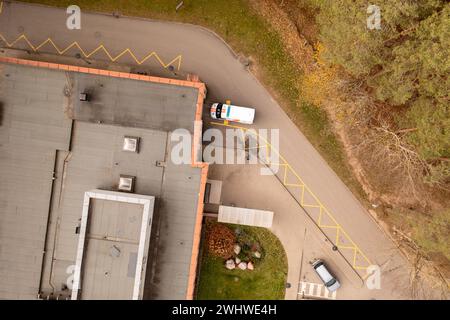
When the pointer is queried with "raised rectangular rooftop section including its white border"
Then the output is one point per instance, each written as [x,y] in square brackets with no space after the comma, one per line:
[114,238]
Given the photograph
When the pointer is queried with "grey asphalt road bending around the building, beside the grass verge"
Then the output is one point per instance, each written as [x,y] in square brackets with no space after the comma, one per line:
[205,54]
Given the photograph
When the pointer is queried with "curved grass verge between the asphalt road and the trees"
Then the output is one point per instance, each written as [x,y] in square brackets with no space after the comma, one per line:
[247,32]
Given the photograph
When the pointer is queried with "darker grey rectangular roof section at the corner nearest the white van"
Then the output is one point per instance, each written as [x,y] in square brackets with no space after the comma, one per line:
[133,103]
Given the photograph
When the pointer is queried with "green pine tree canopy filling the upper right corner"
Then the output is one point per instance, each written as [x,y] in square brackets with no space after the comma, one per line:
[406,63]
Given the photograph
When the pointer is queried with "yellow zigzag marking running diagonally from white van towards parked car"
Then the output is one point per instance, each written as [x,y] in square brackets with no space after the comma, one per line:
[323,210]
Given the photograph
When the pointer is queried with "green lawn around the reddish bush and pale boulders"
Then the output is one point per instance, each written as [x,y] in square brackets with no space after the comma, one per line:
[267,281]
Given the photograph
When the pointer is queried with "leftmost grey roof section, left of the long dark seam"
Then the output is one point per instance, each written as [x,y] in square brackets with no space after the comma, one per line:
[32,129]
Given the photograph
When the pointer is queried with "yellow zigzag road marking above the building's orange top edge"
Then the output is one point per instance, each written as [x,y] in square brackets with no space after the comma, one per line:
[176,60]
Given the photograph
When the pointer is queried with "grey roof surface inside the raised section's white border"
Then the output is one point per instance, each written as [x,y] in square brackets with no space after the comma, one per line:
[112,226]
